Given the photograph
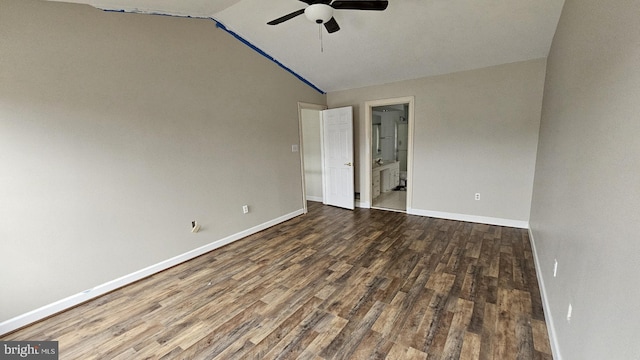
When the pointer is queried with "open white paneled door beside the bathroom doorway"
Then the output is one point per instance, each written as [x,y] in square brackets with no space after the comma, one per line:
[338,157]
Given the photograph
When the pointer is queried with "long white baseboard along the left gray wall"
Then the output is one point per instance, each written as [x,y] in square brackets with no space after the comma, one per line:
[74,300]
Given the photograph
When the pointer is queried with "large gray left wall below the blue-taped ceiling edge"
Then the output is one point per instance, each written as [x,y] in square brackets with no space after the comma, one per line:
[117,130]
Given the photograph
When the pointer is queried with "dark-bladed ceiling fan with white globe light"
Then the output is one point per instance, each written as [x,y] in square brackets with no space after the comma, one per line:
[321,11]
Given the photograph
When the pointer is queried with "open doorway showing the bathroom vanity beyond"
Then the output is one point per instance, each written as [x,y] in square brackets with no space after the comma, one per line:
[390,132]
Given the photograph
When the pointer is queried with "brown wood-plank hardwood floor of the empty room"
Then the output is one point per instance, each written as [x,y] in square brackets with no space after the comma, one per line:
[332,284]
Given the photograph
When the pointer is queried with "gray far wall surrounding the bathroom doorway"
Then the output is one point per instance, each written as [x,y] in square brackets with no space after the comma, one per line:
[475,131]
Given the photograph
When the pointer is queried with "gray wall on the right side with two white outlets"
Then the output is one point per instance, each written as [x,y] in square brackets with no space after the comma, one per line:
[585,209]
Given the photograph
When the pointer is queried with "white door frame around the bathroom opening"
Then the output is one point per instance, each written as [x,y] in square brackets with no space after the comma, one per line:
[368,108]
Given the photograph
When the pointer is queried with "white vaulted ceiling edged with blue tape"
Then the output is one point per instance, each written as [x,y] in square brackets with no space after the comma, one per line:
[411,39]
